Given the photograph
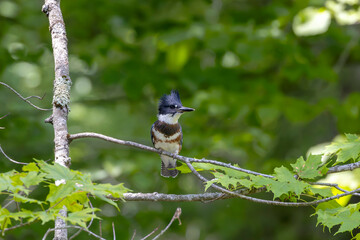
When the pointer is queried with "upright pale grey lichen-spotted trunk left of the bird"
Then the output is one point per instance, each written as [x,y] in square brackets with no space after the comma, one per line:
[61,95]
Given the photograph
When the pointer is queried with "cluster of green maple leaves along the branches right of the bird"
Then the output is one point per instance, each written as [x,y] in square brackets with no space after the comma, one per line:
[290,185]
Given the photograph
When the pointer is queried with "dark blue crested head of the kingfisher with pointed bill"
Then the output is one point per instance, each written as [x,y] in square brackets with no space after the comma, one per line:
[171,108]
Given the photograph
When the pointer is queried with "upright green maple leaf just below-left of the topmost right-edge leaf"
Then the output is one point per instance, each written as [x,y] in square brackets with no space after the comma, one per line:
[310,168]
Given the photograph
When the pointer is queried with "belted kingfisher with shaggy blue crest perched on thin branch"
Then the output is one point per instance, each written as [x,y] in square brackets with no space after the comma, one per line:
[166,133]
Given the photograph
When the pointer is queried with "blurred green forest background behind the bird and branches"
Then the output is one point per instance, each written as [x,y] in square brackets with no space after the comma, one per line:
[263,97]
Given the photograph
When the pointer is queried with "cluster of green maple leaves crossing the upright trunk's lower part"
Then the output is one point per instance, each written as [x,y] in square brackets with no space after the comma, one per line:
[67,188]
